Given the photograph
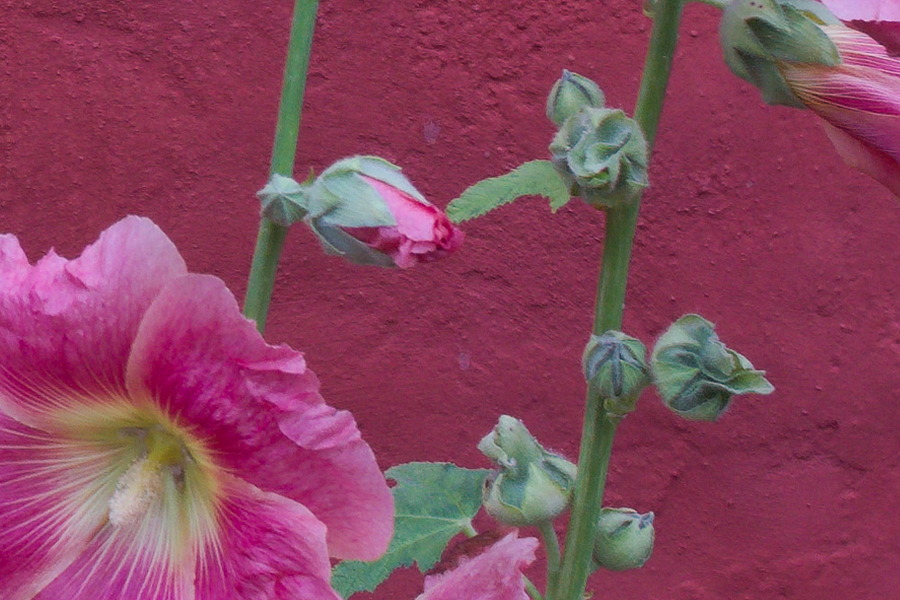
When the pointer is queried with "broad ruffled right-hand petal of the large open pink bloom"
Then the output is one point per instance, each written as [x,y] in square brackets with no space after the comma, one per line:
[258,408]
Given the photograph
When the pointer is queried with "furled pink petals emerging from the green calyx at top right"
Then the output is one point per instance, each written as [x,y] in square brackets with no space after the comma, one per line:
[859,101]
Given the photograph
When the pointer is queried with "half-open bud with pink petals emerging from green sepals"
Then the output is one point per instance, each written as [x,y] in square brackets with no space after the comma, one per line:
[366,210]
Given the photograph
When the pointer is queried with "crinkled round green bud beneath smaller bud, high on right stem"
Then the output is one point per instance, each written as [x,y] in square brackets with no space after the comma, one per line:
[602,155]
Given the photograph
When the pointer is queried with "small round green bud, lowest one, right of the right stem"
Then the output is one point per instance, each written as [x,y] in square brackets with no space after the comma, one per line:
[624,539]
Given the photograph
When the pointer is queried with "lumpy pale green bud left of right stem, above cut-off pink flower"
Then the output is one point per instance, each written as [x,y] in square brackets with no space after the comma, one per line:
[530,485]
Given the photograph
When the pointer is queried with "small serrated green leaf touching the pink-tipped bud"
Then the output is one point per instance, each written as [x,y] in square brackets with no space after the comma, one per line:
[535,178]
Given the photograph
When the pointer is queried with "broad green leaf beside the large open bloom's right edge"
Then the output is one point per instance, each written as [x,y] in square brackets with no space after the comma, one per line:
[434,502]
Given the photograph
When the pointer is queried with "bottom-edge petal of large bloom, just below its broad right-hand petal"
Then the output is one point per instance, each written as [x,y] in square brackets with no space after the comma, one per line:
[270,548]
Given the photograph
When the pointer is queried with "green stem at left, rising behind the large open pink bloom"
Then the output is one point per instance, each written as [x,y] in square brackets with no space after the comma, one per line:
[271,237]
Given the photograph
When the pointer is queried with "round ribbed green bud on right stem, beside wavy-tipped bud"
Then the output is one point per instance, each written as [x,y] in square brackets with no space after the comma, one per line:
[615,367]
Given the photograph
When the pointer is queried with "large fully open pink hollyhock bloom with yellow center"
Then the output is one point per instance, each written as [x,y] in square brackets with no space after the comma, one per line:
[153,447]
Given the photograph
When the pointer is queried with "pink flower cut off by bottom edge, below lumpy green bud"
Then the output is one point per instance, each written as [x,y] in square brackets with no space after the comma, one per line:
[496,574]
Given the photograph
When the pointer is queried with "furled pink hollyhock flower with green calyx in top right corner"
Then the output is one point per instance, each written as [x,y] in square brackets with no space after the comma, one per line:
[808,58]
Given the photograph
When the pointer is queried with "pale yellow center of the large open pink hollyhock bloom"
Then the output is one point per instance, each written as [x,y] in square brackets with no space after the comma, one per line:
[154,480]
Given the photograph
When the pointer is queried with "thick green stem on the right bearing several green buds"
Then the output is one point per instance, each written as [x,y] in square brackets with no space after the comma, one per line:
[599,427]
